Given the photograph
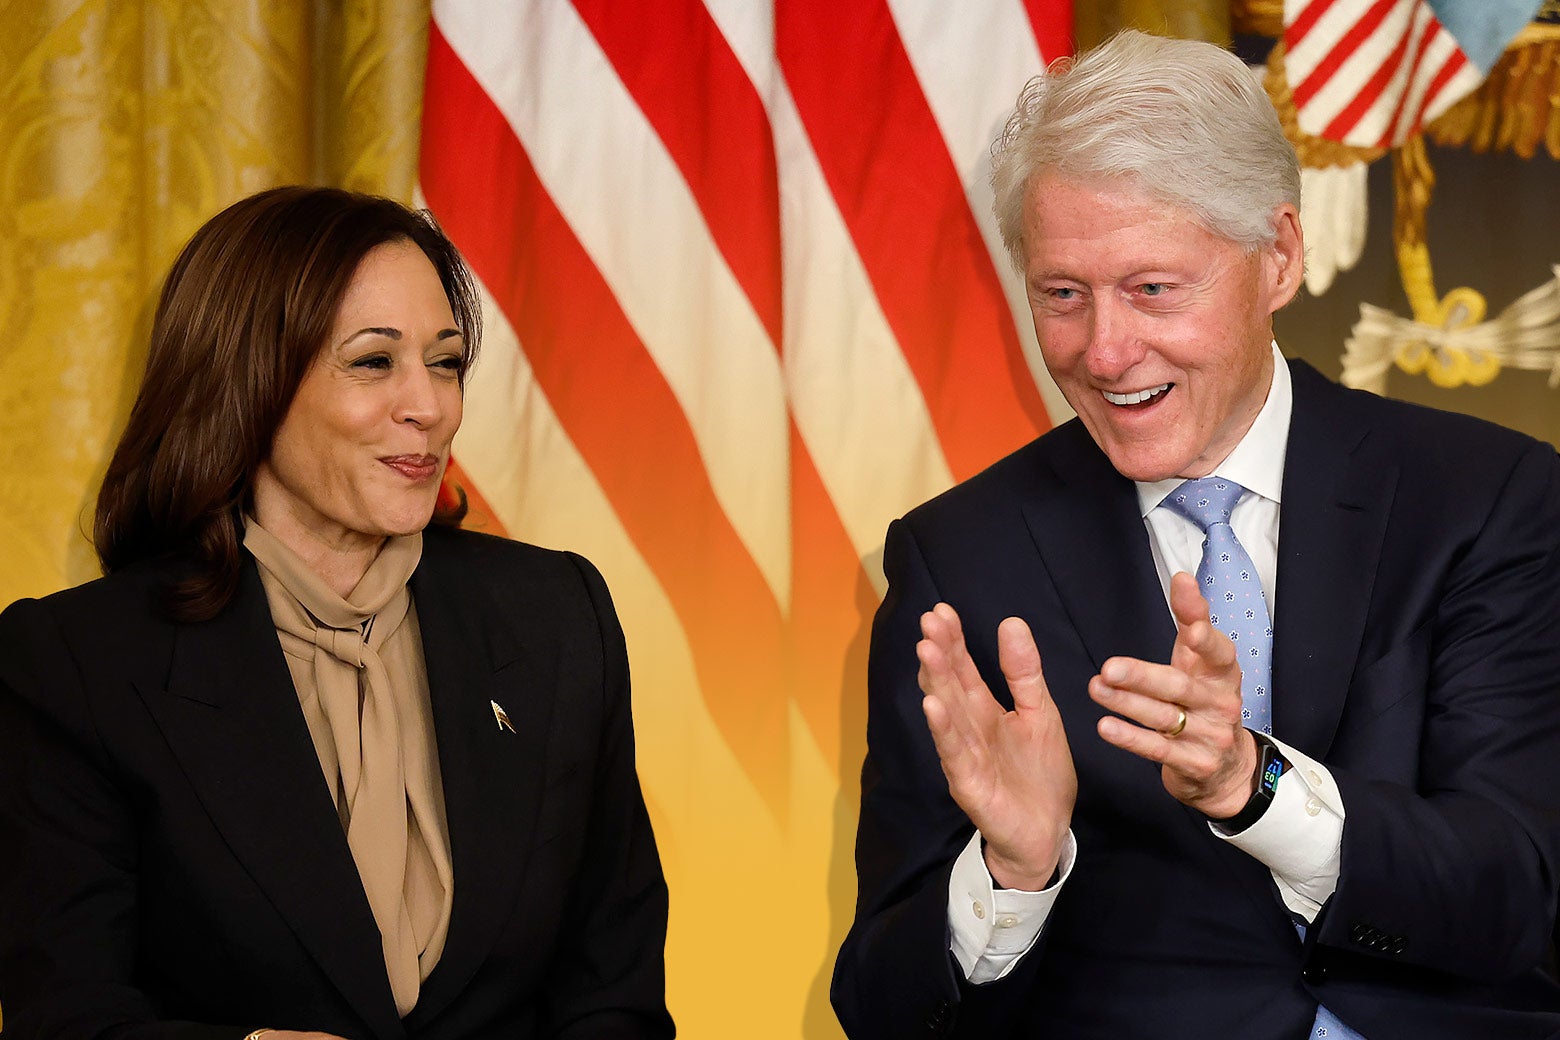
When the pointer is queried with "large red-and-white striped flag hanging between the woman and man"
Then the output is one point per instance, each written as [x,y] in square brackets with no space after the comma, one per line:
[746,305]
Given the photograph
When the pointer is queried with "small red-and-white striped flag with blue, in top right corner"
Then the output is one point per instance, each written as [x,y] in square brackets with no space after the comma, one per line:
[1374,73]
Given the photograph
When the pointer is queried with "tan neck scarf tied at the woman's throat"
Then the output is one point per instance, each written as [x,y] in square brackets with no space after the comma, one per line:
[358,668]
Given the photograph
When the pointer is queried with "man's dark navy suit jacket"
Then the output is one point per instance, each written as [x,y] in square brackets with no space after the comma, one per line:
[1417,654]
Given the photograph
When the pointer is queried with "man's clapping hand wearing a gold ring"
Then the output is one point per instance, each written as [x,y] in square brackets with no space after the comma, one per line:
[1210,762]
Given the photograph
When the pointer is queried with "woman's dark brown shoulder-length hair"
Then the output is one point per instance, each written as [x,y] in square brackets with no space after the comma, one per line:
[244,313]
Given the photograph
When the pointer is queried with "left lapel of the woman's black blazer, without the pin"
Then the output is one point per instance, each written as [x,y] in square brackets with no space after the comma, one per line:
[232,718]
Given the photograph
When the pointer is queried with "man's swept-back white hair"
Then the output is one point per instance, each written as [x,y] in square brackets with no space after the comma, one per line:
[1185,121]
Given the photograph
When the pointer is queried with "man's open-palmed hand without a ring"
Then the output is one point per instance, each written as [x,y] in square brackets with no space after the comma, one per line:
[1010,771]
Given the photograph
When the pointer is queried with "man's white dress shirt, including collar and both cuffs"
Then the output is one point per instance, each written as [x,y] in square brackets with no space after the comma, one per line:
[1302,833]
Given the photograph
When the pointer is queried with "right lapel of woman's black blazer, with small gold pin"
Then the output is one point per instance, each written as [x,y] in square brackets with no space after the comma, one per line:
[494,777]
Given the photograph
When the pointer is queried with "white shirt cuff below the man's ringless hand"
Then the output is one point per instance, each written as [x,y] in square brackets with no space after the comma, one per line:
[991,929]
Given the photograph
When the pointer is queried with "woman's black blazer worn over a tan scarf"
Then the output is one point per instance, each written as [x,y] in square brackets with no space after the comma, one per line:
[174,865]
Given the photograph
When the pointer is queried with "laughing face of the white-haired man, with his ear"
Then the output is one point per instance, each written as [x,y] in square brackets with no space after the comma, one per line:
[1155,330]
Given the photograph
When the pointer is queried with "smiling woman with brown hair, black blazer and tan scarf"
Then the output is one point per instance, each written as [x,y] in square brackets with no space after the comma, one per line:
[303,760]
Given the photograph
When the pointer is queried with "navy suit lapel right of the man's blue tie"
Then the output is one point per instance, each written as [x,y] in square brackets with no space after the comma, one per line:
[1338,500]
